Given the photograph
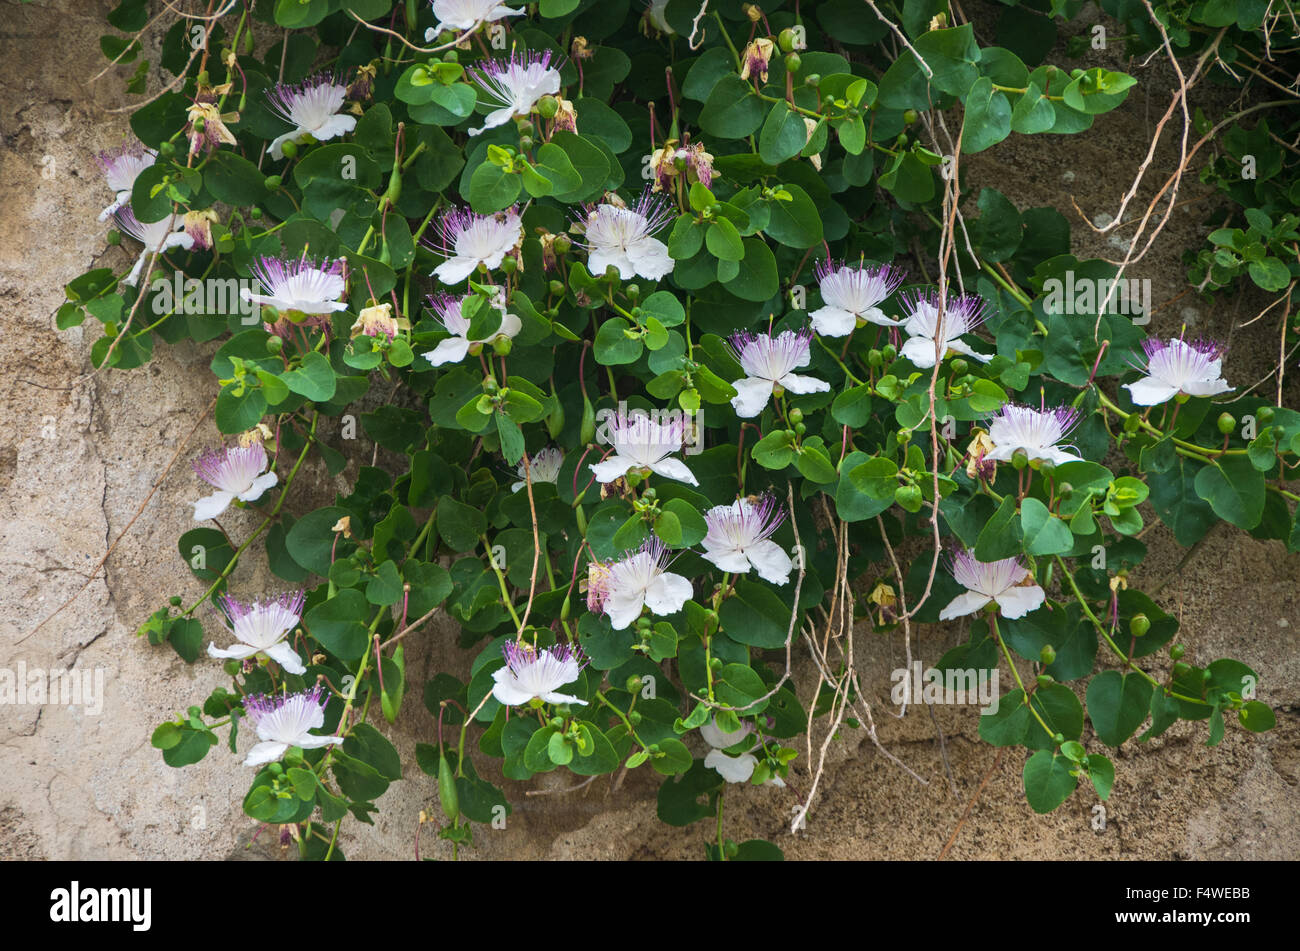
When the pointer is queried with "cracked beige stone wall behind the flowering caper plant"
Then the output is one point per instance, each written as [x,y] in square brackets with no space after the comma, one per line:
[83,451]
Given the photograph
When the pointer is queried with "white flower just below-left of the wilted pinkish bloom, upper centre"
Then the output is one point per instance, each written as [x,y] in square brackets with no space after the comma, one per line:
[623,237]
